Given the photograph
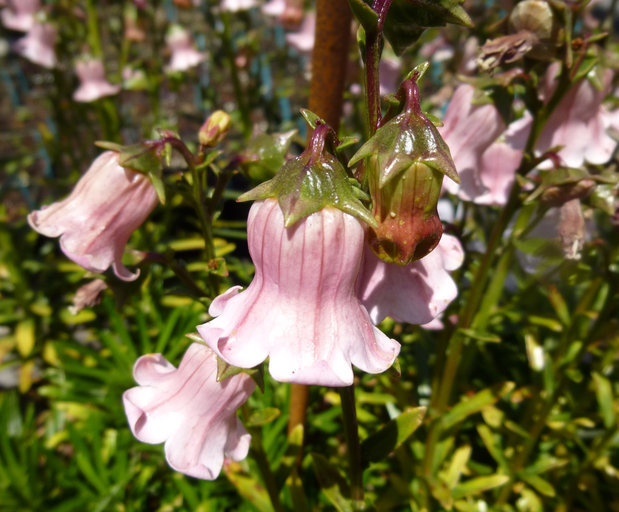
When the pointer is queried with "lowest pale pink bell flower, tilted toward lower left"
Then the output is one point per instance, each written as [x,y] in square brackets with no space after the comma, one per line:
[189,411]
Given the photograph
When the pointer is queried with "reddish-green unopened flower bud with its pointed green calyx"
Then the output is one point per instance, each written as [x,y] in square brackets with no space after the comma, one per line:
[405,162]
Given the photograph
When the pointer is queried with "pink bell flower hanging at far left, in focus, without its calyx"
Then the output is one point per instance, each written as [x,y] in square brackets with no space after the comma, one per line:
[95,222]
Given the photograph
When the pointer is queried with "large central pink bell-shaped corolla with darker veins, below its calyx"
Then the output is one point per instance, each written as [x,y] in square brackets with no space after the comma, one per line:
[301,310]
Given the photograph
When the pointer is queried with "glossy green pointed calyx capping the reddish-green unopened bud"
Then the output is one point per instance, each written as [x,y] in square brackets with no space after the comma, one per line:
[407,139]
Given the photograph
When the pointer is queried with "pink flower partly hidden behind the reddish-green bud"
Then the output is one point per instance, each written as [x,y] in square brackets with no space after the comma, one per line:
[416,293]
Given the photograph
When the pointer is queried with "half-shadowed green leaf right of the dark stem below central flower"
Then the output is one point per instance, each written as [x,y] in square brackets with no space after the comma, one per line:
[380,444]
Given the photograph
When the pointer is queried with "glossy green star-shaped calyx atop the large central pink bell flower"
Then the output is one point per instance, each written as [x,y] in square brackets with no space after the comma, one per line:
[312,181]
